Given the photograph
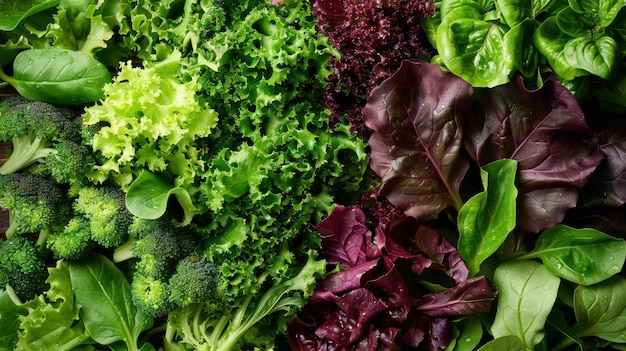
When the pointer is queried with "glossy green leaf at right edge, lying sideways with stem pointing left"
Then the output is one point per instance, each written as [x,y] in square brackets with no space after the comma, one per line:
[584,256]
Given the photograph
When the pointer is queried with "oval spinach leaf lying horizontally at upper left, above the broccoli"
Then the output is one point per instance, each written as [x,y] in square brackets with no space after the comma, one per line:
[58,76]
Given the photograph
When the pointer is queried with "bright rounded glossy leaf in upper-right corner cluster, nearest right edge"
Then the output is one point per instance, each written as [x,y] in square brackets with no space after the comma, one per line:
[597,56]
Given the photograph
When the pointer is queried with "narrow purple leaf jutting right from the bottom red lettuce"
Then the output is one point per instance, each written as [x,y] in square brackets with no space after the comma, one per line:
[469,297]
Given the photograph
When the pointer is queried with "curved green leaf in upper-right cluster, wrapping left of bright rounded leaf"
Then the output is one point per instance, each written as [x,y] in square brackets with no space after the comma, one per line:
[551,41]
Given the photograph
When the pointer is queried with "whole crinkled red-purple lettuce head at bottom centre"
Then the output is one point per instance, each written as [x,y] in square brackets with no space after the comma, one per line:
[377,303]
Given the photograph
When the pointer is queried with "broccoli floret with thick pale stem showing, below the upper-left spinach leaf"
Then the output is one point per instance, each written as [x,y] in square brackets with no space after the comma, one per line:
[34,128]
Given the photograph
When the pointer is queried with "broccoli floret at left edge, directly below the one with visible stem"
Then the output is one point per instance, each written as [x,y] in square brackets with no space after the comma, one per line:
[35,204]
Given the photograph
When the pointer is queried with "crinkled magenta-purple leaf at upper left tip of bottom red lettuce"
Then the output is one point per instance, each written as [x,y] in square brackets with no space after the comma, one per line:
[343,233]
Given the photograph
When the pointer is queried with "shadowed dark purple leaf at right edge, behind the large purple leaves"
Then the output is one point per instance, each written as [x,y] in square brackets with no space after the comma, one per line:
[607,185]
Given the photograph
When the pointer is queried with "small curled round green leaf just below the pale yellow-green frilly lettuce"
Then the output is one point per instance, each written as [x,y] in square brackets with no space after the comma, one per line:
[148,197]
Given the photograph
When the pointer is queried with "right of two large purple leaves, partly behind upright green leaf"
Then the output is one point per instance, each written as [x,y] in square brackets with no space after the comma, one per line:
[546,132]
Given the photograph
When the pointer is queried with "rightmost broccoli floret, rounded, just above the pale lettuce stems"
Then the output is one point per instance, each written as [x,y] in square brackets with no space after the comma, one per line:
[196,280]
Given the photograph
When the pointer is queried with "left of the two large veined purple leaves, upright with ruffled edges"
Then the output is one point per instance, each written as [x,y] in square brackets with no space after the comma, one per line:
[417,143]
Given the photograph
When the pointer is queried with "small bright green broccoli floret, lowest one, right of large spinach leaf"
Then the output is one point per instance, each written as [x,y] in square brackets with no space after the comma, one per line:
[151,295]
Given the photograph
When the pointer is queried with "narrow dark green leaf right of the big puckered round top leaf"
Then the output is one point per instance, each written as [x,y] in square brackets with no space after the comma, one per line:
[519,42]
